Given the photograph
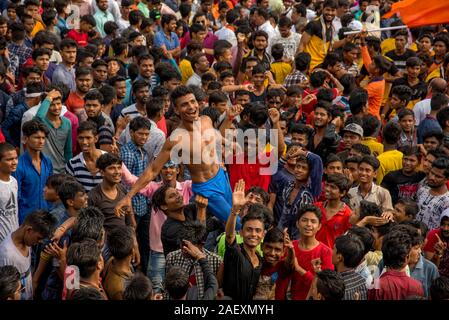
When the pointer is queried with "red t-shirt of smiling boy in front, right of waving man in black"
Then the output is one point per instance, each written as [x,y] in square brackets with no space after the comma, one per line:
[300,285]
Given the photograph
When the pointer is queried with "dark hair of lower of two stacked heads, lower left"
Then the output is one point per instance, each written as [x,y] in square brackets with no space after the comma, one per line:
[85,255]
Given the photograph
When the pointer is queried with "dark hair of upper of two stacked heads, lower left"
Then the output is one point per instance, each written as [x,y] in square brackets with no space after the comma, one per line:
[88,225]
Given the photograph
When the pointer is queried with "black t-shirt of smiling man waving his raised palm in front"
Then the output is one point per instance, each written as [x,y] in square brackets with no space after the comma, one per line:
[240,277]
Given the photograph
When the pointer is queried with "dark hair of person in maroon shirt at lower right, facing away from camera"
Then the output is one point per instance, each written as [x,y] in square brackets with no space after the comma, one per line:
[396,246]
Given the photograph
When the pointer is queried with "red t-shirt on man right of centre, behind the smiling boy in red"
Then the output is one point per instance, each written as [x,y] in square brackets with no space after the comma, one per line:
[335,226]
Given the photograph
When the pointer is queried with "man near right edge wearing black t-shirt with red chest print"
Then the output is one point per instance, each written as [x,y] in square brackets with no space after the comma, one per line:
[403,183]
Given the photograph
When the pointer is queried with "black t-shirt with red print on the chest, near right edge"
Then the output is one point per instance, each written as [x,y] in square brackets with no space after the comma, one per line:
[402,186]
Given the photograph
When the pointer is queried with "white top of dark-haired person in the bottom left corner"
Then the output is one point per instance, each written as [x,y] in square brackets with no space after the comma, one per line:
[10,255]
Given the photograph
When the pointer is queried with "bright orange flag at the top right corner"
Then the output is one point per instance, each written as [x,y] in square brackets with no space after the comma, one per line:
[417,13]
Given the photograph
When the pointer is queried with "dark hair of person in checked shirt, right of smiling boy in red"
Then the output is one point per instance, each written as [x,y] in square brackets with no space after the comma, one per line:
[351,248]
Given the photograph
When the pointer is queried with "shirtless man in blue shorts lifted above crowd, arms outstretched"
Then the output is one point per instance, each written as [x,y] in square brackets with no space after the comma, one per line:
[208,177]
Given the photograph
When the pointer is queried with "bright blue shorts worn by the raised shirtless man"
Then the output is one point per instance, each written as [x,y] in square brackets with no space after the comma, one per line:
[218,192]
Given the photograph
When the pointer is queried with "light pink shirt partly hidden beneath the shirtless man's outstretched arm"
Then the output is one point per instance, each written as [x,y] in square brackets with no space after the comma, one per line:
[157,216]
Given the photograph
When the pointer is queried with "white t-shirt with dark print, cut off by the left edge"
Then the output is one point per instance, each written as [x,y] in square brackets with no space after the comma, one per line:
[9,211]
